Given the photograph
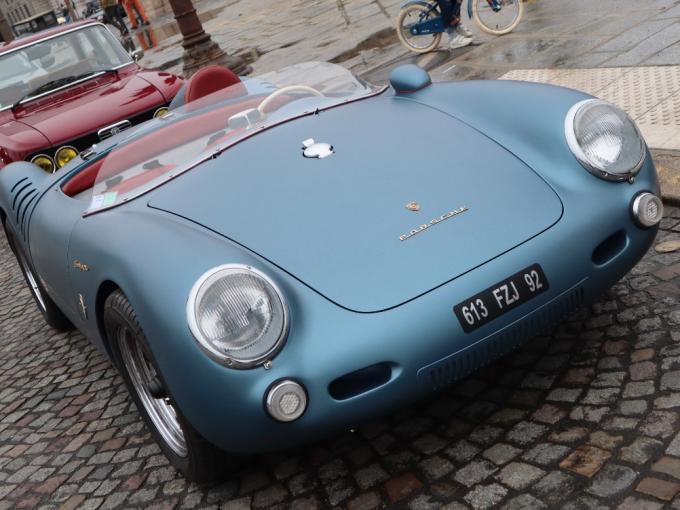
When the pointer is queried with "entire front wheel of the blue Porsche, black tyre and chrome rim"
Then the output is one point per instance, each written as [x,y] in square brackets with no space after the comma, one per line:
[197,459]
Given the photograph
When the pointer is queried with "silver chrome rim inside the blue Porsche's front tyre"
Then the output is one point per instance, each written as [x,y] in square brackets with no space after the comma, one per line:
[160,410]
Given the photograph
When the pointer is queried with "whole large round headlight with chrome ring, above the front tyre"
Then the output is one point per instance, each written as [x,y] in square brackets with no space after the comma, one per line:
[237,315]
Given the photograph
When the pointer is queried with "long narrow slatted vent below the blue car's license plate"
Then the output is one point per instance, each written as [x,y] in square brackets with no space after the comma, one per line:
[457,366]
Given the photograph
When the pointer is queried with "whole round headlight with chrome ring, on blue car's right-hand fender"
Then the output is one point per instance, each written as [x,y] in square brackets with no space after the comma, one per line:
[604,140]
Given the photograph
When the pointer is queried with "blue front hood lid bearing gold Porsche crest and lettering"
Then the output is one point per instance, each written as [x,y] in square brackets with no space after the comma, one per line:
[338,224]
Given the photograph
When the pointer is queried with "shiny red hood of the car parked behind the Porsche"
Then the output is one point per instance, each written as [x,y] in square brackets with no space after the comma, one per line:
[89,106]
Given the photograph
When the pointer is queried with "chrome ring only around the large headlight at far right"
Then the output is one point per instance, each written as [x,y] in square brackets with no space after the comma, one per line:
[577,151]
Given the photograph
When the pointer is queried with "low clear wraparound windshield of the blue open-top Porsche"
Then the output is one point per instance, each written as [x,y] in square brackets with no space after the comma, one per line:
[203,128]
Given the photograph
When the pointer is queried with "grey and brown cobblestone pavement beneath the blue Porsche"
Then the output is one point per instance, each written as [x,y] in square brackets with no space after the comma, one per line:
[584,418]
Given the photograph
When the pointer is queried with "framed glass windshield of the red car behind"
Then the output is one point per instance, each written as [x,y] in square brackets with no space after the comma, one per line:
[54,62]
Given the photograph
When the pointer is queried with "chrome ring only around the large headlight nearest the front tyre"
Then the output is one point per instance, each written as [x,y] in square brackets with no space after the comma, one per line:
[206,345]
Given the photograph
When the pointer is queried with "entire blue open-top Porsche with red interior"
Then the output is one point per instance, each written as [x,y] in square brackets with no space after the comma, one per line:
[280,257]
